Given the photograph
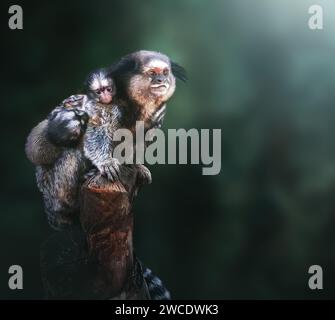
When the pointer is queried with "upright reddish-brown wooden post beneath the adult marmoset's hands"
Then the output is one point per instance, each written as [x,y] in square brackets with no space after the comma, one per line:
[107,219]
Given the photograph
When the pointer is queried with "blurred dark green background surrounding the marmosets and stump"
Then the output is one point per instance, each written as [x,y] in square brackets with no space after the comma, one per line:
[257,72]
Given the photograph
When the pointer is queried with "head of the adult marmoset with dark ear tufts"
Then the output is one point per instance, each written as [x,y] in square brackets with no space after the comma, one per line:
[145,81]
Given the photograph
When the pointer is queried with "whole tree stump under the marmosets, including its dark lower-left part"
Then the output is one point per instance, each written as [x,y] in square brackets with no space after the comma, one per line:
[96,260]
